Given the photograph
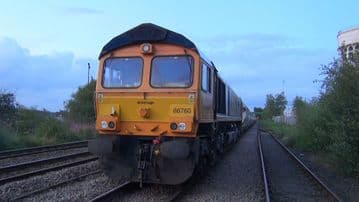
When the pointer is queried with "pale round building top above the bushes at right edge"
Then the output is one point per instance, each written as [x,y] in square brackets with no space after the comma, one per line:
[348,41]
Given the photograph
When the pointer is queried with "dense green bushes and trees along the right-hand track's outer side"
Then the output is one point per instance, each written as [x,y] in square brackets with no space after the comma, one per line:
[328,124]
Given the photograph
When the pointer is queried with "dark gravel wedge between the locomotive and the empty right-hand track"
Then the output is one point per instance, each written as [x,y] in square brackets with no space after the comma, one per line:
[237,177]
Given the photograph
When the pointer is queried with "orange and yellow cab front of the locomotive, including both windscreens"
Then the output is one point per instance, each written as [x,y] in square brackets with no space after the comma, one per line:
[148,93]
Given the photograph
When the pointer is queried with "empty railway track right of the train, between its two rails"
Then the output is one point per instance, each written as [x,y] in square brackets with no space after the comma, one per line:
[292,179]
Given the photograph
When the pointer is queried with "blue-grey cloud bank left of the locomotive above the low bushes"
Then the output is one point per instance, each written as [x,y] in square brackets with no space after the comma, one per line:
[45,81]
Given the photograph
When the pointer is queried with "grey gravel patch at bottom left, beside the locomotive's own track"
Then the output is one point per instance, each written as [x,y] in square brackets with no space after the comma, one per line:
[83,190]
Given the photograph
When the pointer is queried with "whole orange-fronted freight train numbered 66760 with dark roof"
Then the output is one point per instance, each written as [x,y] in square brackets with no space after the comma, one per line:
[163,112]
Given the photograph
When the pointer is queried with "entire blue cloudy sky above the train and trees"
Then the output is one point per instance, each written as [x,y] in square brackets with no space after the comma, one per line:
[259,47]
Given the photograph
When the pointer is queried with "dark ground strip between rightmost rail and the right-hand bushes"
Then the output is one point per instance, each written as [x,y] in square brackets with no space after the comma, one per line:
[347,188]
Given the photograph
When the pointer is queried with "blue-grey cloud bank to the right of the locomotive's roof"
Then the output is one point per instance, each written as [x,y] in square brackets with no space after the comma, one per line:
[258,64]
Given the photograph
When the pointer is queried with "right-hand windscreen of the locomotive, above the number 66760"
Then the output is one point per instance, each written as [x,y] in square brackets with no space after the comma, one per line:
[172,71]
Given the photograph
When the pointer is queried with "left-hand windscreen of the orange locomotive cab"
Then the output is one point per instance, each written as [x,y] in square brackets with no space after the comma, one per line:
[122,72]
